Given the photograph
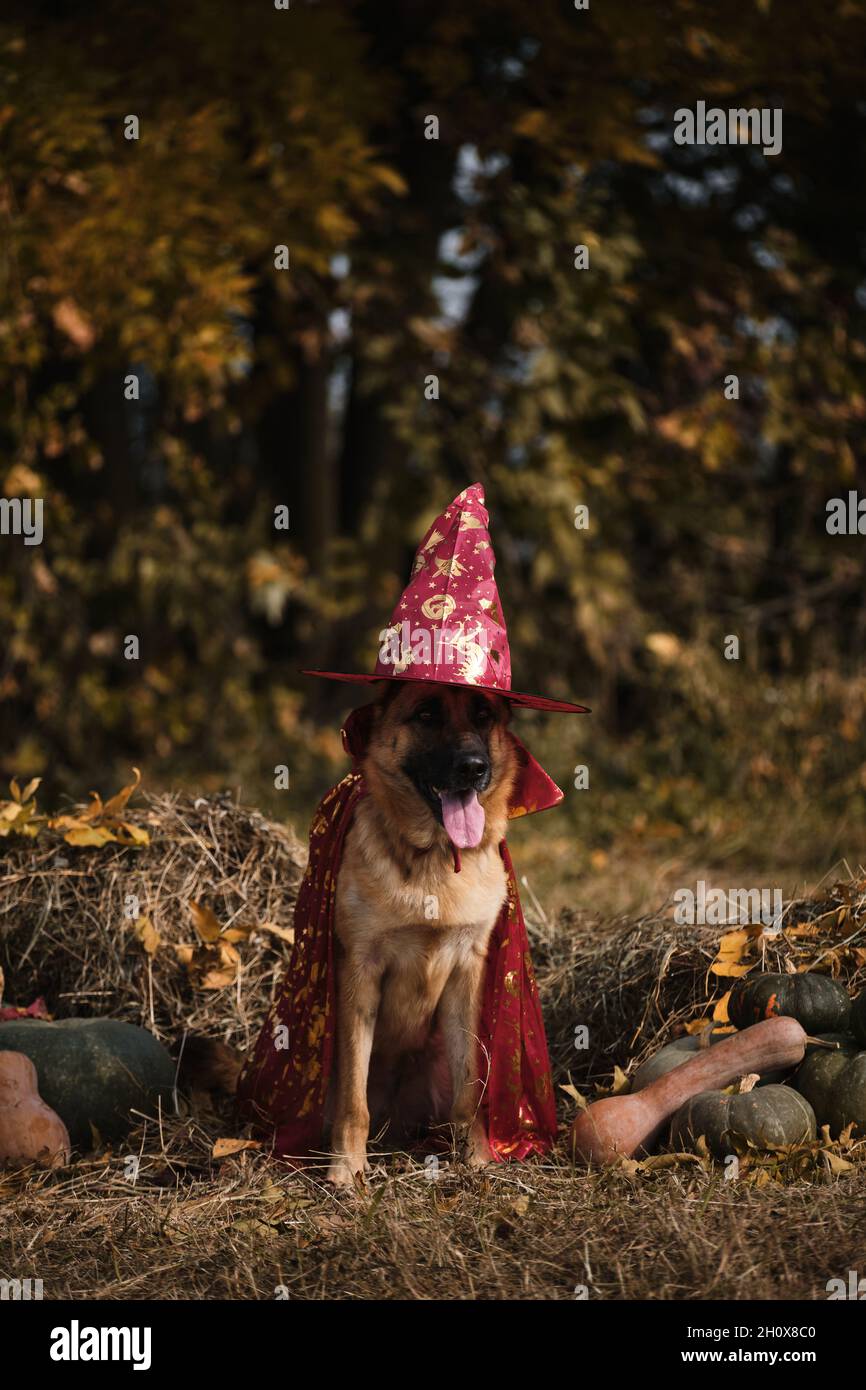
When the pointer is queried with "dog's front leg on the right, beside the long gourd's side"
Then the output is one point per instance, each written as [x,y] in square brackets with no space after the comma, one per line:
[459,1014]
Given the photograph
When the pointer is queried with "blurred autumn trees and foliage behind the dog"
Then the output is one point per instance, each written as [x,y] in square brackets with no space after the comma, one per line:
[558,387]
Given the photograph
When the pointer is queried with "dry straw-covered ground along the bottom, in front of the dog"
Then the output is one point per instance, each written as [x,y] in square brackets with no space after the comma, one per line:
[248,1229]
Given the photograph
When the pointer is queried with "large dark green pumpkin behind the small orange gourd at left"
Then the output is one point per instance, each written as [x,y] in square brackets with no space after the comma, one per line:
[94,1072]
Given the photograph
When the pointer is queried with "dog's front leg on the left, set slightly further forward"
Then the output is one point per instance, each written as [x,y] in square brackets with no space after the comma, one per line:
[358,1003]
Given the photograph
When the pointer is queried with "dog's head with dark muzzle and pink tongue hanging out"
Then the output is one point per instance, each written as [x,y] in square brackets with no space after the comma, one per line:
[441,757]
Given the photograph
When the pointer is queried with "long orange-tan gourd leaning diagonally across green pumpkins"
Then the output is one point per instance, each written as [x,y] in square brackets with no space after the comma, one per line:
[622,1125]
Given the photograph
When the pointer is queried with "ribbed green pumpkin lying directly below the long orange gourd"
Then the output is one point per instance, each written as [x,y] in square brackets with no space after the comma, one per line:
[771,1117]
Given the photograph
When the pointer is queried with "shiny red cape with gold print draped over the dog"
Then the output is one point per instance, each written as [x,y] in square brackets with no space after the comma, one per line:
[286,1079]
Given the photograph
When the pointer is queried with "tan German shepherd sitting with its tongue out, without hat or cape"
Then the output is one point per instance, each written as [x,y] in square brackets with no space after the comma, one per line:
[412,935]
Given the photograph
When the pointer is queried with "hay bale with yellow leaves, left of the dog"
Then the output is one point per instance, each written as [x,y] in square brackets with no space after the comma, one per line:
[66,931]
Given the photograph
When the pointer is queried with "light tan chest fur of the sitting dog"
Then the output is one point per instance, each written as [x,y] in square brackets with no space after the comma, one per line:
[414,922]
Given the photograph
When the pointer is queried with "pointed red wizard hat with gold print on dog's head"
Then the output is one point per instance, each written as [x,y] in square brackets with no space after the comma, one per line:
[448,623]
